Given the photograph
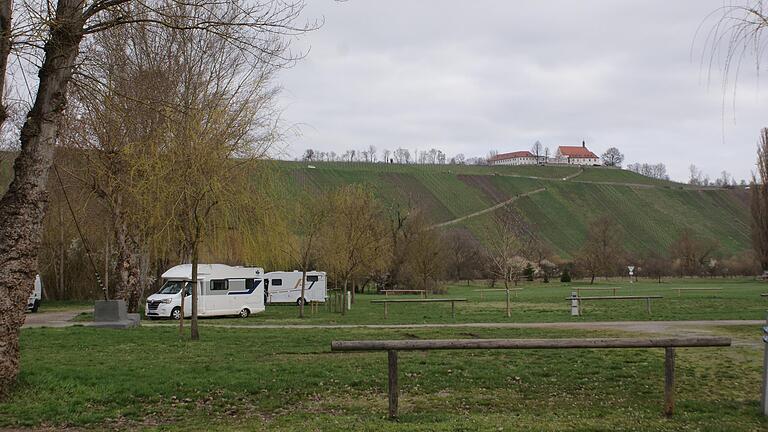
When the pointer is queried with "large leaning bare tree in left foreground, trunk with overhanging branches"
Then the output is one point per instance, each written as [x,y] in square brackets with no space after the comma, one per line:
[56,36]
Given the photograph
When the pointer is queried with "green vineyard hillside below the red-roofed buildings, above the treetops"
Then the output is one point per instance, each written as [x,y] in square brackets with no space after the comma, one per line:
[651,212]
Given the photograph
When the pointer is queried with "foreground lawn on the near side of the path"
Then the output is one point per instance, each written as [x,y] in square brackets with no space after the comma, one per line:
[234,379]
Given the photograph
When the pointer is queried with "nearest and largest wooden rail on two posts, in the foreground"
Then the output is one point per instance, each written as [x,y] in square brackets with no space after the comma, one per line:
[393,346]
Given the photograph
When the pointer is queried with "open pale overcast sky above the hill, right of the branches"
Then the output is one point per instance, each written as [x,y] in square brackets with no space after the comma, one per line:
[469,77]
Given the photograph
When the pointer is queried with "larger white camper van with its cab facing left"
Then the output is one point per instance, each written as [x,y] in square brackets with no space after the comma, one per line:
[222,290]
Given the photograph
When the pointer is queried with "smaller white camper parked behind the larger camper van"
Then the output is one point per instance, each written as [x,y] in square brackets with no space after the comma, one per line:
[285,287]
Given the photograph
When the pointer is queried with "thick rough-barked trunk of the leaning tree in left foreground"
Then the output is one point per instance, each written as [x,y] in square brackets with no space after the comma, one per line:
[24,204]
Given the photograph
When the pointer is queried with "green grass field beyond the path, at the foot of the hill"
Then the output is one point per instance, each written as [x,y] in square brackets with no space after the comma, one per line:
[538,302]
